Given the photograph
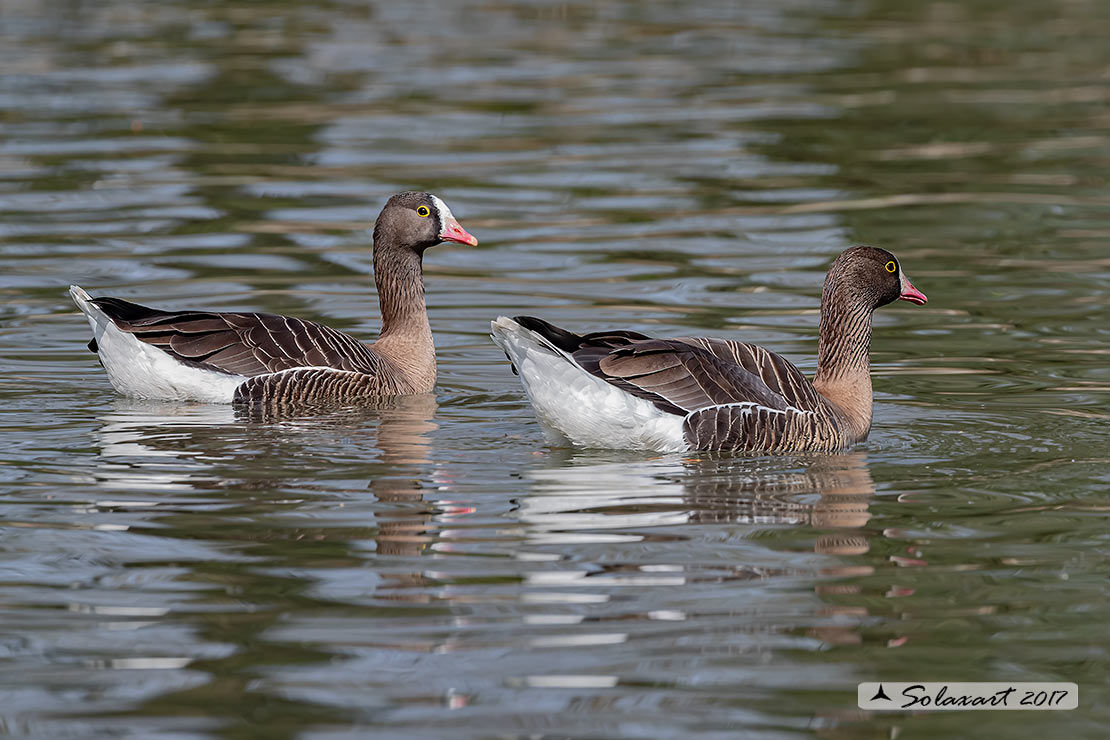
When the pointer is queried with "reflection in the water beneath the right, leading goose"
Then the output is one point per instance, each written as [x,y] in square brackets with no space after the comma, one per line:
[637,502]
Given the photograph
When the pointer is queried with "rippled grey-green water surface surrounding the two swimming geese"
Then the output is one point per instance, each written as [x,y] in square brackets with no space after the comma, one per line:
[428,569]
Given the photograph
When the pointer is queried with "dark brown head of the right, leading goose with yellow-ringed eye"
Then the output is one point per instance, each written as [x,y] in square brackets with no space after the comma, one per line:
[871,278]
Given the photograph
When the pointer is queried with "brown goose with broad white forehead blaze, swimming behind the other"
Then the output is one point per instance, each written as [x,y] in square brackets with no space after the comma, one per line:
[243,358]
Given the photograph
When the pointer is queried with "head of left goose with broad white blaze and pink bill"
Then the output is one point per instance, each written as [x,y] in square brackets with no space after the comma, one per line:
[417,221]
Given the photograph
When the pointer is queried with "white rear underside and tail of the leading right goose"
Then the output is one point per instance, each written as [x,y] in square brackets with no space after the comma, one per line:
[573,406]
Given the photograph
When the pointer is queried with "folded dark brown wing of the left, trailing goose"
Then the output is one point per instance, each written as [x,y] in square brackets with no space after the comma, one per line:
[241,343]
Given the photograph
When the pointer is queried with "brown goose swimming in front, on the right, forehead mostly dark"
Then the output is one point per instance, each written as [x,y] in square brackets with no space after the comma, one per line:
[624,390]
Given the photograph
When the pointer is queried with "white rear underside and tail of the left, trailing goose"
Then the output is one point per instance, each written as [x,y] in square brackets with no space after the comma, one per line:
[143,371]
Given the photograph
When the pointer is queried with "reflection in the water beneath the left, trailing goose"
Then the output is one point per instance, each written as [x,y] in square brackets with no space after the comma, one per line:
[162,449]
